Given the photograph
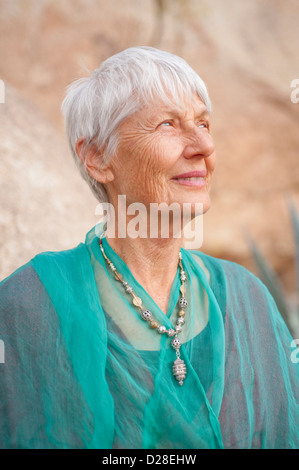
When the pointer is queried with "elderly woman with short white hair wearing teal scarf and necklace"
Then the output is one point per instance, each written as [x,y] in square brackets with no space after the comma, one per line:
[137,342]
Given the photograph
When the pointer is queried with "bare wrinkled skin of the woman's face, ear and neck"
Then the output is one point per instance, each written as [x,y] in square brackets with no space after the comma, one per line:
[156,144]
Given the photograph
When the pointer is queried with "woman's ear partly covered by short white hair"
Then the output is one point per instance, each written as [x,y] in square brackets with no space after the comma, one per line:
[91,158]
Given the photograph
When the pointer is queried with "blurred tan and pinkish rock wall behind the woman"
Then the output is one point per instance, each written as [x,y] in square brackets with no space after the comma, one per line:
[248,54]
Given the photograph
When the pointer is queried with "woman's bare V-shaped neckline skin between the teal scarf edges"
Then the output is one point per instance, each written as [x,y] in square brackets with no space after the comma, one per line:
[152,261]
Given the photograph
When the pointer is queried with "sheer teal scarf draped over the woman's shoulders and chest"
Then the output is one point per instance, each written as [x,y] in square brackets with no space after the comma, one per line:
[82,370]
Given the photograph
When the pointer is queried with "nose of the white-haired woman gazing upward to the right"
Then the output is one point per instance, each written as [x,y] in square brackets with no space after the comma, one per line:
[199,143]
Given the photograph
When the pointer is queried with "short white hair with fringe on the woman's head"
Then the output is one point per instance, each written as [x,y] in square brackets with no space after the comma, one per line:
[95,106]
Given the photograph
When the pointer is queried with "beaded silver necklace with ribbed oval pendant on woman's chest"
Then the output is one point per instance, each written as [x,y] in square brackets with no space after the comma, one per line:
[179,367]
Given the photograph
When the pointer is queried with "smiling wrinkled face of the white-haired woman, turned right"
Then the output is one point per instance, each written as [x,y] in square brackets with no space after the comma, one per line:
[165,154]
